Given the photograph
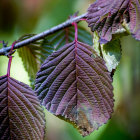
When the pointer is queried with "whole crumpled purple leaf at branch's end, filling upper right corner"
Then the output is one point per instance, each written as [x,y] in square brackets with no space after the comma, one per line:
[107,17]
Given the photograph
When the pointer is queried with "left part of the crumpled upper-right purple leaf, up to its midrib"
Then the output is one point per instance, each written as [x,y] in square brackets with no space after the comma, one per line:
[106,17]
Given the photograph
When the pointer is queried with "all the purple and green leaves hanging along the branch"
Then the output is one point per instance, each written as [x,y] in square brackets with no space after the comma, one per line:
[75,81]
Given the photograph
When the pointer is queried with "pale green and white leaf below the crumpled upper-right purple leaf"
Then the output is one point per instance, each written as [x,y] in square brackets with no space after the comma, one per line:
[110,52]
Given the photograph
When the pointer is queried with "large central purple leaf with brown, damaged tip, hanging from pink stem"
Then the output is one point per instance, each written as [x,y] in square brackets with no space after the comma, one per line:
[74,84]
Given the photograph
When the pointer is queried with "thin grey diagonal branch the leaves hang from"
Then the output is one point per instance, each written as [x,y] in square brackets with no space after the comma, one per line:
[39,36]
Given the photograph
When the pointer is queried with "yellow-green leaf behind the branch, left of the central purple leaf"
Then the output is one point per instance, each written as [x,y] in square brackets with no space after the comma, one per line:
[30,55]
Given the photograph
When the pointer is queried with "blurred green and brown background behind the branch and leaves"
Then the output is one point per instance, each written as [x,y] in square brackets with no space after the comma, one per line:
[34,16]
